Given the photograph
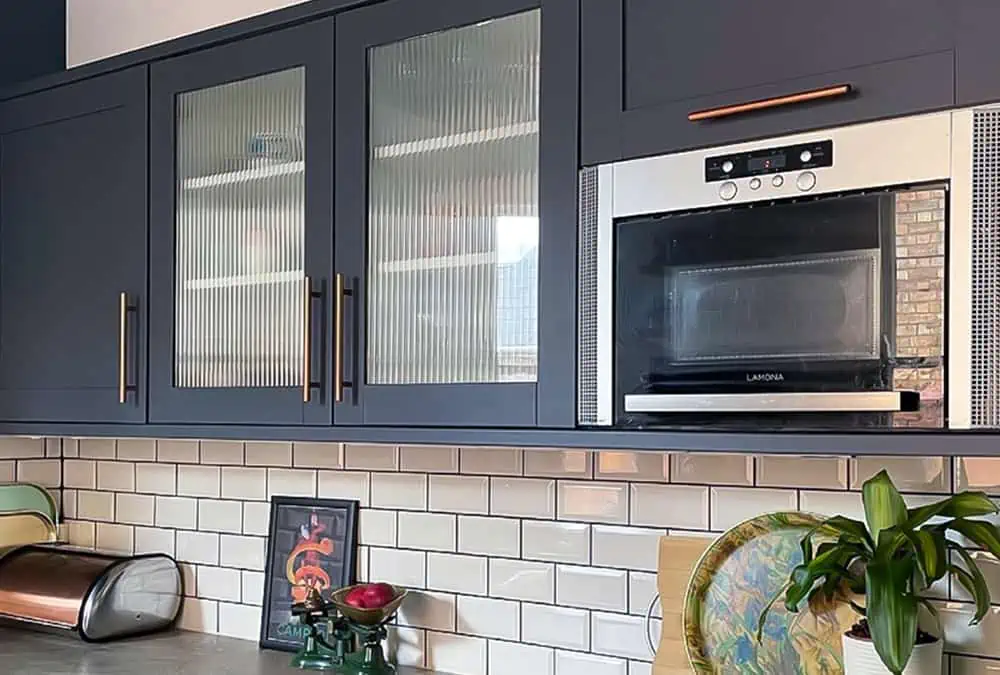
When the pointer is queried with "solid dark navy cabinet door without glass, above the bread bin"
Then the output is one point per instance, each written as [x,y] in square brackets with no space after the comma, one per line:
[73,302]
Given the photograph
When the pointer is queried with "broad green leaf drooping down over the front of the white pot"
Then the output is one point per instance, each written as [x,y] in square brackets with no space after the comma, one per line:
[892,610]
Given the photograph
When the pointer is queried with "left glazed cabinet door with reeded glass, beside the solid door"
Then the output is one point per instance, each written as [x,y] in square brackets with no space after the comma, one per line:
[241,231]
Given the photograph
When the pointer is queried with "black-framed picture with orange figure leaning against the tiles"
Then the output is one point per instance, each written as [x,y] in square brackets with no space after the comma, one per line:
[312,543]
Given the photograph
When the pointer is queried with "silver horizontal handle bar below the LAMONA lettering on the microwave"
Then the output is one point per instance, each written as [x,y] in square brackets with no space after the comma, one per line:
[782,402]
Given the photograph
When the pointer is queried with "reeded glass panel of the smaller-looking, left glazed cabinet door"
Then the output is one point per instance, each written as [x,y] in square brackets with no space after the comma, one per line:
[239,233]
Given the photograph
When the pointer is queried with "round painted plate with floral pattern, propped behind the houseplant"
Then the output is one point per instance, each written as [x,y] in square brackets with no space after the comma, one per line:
[733,582]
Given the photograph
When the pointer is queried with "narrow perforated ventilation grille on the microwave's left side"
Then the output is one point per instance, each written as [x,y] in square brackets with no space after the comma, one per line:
[587,347]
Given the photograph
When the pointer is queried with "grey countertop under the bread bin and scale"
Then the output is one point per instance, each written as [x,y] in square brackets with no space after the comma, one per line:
[177,653]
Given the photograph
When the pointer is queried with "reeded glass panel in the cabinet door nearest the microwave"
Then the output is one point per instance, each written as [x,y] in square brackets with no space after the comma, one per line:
[453,206]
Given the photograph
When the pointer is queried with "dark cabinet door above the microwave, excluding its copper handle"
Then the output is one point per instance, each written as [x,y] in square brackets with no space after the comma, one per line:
[648,64]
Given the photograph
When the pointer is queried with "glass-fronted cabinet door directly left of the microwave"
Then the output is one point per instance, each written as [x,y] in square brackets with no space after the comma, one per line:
[440,212]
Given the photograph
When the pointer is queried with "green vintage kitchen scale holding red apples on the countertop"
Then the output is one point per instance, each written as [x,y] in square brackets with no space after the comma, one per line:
[346,627]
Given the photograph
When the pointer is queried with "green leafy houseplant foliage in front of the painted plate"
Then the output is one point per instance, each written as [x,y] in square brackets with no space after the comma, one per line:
[892,559]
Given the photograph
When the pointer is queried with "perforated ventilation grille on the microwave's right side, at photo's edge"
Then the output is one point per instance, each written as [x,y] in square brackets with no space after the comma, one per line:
[986,269]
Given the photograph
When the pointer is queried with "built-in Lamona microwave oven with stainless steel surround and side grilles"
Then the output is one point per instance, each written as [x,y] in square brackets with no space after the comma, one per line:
[841,279]
